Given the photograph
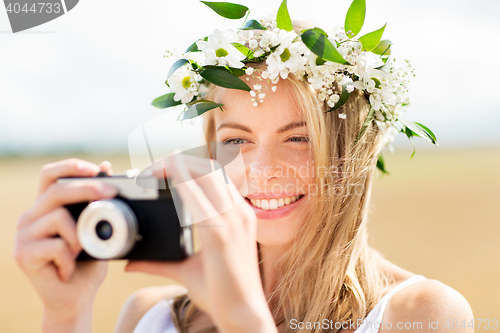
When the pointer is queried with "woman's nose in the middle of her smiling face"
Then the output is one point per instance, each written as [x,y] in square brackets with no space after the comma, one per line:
[265,166]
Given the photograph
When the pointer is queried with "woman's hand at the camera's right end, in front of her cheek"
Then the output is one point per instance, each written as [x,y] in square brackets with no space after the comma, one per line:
[223,278]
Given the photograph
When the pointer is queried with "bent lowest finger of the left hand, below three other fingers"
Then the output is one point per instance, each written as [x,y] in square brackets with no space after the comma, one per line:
[39,254]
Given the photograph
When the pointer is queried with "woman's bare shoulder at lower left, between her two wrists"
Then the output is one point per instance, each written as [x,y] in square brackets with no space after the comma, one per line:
[140,302]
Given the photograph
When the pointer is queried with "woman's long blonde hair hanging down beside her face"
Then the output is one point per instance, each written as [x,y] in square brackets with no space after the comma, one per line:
[330,272]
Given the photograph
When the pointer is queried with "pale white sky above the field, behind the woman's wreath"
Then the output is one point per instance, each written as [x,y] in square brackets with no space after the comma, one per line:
[85,81]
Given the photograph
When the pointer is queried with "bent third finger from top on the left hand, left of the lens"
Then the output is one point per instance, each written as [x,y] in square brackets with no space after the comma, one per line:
[58,222]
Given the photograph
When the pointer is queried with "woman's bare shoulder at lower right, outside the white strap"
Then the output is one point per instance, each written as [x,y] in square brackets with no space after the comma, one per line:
[429,306]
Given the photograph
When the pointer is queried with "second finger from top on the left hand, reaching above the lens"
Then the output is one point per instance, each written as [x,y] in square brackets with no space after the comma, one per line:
[61,194]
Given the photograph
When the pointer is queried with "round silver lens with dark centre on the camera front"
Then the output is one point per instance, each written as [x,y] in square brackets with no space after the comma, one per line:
[107,229]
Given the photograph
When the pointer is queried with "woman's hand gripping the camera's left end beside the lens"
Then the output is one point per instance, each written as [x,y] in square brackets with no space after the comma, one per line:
[46,246]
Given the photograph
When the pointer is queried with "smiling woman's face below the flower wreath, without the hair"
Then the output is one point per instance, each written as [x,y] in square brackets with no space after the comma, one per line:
[273,139]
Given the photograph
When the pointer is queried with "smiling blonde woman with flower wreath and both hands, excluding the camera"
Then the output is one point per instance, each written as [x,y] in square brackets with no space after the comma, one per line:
[309,115]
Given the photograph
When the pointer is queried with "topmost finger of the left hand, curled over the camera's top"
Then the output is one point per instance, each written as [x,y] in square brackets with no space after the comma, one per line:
[72,167]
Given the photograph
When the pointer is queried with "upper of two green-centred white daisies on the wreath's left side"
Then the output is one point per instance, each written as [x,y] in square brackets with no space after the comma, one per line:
[219,51]
